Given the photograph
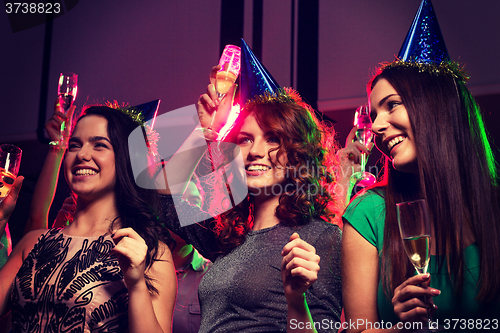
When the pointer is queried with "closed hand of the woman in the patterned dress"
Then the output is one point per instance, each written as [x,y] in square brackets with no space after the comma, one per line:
[131,251]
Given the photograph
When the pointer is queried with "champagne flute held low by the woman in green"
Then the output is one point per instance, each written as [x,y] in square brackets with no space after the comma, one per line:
[415,230]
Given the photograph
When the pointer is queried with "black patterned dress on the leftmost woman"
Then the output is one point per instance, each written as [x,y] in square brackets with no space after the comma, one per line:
[70,284]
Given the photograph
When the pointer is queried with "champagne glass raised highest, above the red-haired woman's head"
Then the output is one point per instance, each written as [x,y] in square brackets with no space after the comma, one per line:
[224,79]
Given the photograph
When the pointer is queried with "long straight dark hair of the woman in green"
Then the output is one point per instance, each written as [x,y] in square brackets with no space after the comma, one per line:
[457,175]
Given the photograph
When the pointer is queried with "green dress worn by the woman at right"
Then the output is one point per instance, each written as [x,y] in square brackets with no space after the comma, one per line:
[366,213]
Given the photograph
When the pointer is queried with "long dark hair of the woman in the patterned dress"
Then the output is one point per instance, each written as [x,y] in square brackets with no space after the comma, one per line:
[137,207]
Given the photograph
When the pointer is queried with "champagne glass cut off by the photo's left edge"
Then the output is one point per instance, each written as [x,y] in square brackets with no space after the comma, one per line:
[10,159]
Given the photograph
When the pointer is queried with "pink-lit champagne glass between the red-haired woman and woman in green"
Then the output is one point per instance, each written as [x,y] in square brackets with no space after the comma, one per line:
[364,135]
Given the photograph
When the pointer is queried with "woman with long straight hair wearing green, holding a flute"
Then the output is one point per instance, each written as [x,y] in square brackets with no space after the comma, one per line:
[431,131]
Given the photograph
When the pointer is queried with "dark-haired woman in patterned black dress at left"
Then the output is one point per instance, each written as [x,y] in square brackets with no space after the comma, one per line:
[110,268]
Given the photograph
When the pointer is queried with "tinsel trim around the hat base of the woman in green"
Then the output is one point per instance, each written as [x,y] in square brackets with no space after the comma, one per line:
[444,68]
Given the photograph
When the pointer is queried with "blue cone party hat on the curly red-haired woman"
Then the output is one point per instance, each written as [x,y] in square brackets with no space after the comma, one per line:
[255,80]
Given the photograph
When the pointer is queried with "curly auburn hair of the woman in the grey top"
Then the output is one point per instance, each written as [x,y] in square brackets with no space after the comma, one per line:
[309,148]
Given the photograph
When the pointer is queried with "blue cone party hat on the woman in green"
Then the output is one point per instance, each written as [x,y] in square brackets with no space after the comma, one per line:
[424,42]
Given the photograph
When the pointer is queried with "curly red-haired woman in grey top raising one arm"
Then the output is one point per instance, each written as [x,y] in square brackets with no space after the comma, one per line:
[266,250]
